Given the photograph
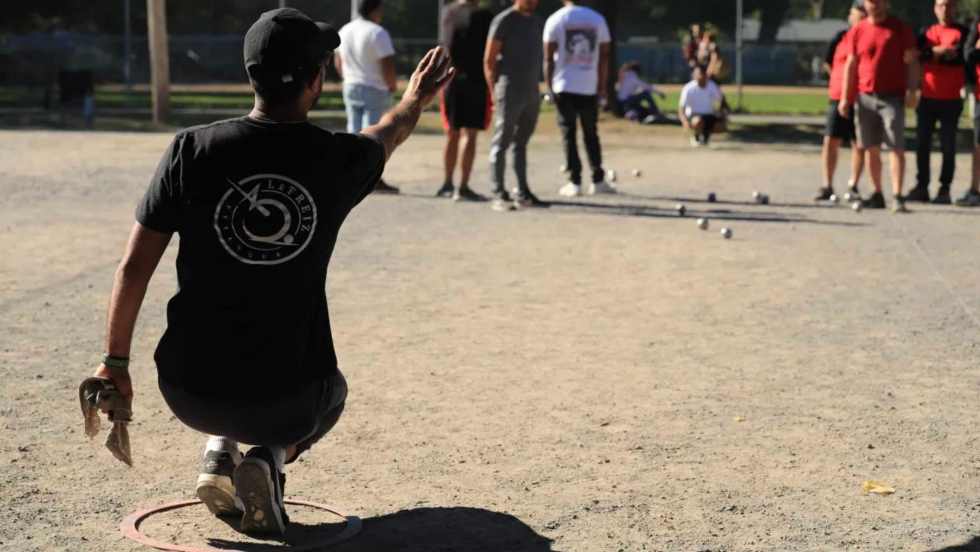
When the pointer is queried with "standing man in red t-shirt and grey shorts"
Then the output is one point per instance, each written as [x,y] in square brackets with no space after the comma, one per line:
[884,67]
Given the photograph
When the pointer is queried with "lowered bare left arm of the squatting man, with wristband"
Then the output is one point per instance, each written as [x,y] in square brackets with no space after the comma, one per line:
[142,256]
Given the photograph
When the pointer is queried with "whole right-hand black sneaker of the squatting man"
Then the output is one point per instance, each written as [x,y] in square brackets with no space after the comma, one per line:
[260,487]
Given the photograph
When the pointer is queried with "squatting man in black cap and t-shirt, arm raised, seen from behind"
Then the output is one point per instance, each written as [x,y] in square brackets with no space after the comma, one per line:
[247,356]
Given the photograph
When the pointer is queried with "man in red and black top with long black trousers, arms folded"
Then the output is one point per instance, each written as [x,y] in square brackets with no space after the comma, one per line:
[943,78]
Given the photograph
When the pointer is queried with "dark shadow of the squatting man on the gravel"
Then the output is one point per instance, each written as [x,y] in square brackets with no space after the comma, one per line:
[417,530]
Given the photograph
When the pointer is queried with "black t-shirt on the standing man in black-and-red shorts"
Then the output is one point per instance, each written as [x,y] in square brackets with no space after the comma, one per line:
[465,29]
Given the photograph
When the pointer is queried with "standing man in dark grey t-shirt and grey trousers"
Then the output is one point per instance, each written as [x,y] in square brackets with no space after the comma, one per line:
[512,64]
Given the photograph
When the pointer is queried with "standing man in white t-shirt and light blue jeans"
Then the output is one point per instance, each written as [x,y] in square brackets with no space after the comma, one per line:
[366,63]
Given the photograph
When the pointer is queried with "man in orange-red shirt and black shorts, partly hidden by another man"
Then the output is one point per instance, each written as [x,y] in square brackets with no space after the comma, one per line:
[840,128]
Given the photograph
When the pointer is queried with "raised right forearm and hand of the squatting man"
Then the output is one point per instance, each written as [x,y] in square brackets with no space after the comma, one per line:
[432,75]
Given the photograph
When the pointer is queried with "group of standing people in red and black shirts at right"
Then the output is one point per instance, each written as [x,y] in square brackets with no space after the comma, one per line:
[879,67]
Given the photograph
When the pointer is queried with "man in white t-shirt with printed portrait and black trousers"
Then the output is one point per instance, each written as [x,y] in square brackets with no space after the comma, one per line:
[576,68]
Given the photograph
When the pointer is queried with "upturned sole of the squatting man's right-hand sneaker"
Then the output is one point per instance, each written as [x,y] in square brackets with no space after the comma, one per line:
[261,514]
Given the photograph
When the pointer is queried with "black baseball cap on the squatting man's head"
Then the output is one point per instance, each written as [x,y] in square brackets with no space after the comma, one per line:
[283,42]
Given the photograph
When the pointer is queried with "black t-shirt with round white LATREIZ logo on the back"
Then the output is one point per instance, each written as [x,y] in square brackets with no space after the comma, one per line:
[257,205]
